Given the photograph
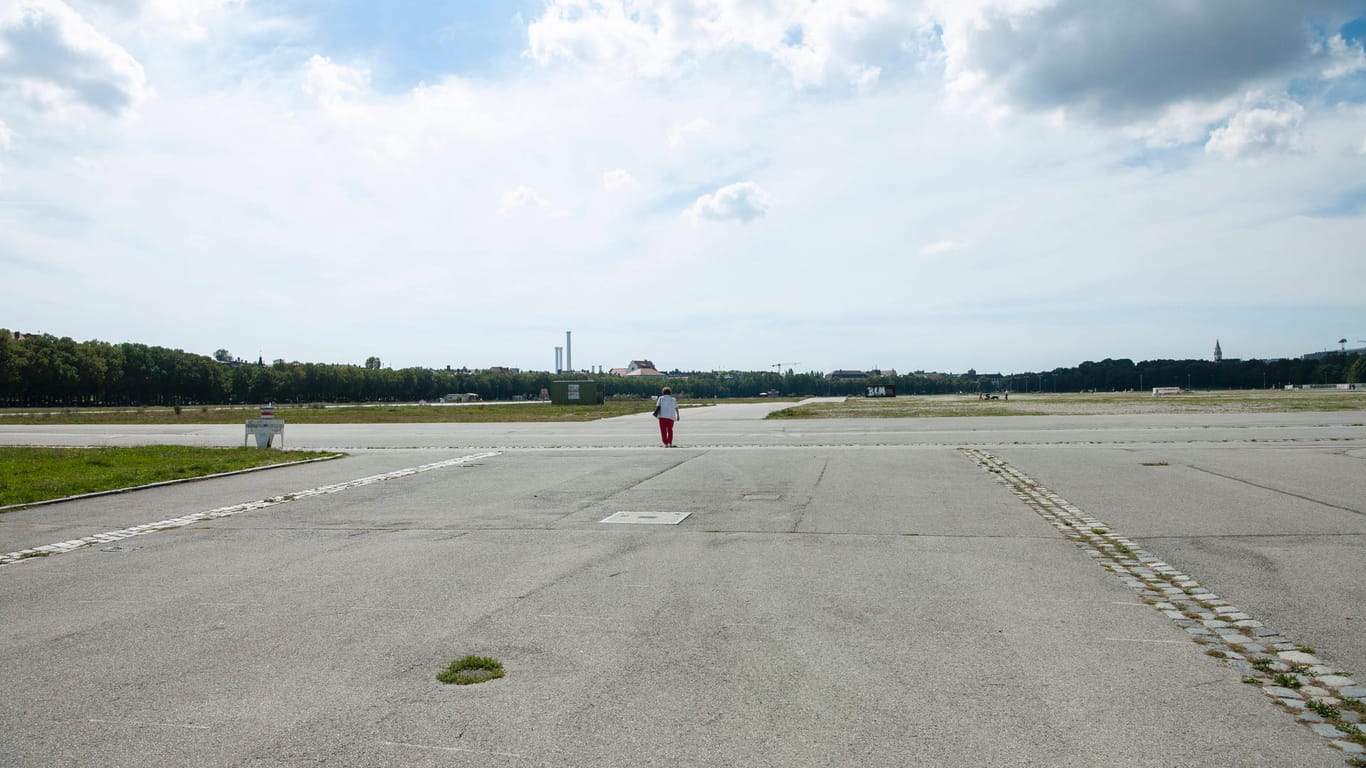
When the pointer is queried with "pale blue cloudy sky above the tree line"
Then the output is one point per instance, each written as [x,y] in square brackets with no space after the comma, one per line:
[711,185]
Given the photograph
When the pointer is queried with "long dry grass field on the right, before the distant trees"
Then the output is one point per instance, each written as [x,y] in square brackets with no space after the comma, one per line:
[1089,404]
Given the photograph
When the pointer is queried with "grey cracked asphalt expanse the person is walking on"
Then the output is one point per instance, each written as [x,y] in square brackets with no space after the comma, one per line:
[841,594]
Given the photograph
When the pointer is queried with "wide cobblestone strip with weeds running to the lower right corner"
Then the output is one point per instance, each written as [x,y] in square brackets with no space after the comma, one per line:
[1328,702]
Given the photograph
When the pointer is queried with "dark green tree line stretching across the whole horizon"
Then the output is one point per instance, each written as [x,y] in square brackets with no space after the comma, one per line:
[47,371]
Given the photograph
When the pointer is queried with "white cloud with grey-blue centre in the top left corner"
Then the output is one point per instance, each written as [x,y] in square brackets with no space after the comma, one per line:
[55,64]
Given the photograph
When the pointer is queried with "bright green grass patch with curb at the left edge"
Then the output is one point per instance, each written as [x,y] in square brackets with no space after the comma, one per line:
[39,475]
